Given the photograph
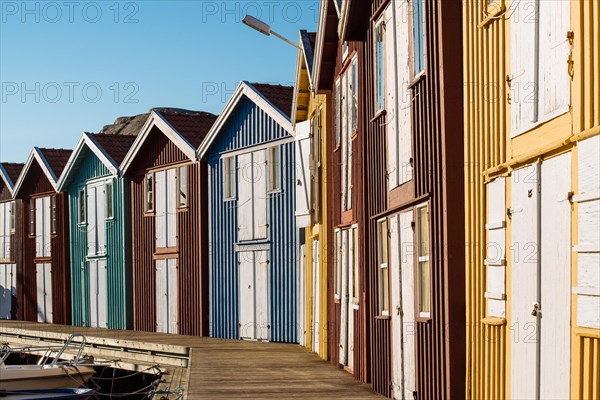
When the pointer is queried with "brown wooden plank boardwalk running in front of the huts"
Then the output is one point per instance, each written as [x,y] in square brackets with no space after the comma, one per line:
[227,369]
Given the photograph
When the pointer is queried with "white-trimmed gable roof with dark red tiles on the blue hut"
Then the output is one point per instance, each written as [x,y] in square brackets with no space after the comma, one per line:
[275,100]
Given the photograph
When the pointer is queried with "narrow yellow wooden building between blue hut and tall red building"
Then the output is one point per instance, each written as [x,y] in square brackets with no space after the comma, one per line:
[310,121]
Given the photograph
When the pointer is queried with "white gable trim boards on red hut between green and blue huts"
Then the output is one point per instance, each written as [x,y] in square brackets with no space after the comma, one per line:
[158,121]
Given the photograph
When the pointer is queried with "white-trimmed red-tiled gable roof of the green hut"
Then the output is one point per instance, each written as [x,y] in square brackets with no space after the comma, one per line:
[110,150]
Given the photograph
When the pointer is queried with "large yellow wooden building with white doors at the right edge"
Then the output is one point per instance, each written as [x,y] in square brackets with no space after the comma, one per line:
[532,184]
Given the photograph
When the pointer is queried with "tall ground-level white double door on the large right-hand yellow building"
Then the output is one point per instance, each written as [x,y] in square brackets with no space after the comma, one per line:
[540,294]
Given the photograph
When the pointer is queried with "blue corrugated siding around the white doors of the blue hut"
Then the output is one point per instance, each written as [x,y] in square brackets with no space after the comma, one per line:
[248,126]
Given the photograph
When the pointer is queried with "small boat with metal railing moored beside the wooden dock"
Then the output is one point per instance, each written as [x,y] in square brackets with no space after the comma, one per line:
[51,372]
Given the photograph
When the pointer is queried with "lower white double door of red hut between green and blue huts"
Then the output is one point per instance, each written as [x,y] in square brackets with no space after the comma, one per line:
[167,320]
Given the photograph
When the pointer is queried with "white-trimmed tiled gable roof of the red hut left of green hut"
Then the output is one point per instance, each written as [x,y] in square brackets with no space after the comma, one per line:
[51,161]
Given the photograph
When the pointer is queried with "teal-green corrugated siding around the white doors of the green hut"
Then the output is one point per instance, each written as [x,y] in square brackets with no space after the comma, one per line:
[118,265]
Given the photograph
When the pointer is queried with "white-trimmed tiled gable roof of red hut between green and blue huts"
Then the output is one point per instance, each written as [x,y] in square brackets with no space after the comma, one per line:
[186,129]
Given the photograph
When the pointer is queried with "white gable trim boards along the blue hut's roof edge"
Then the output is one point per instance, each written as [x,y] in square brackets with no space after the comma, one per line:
[244,89]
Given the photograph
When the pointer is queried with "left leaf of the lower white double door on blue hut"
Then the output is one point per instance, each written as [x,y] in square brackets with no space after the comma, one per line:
[246,291]
